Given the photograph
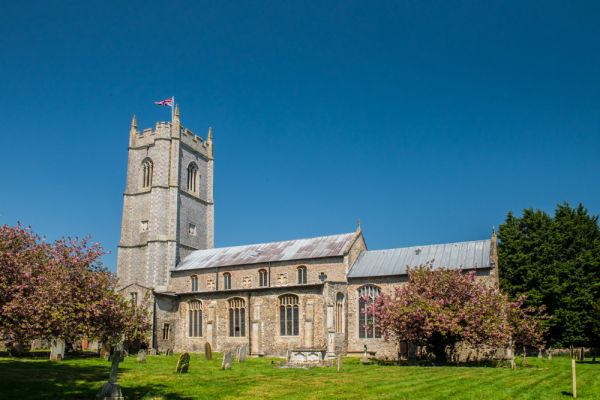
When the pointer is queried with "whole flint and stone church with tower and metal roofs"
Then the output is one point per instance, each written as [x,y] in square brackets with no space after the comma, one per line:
[304,295]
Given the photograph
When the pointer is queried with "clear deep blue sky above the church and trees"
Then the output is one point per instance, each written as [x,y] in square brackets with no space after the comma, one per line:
[426,120]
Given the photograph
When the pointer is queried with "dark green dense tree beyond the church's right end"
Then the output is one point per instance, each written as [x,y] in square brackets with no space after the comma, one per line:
[555,262]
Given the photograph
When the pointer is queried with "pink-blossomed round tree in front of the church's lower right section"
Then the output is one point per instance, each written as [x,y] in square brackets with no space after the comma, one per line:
[440,308]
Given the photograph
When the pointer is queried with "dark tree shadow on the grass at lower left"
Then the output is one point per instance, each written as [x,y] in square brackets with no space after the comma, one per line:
[39,379]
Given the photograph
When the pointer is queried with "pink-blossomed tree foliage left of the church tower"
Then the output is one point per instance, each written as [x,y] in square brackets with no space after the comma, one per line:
[59,290]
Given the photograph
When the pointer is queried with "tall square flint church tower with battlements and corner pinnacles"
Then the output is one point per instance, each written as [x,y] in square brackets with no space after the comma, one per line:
[168,208]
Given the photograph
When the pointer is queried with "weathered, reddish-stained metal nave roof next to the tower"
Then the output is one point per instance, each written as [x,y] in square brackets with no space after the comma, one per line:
[301,249]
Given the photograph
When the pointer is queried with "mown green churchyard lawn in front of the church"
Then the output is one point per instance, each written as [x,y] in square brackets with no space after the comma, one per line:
[258,379]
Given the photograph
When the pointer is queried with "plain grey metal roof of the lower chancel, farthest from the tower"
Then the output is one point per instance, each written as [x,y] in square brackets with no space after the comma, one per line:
[462,255]
